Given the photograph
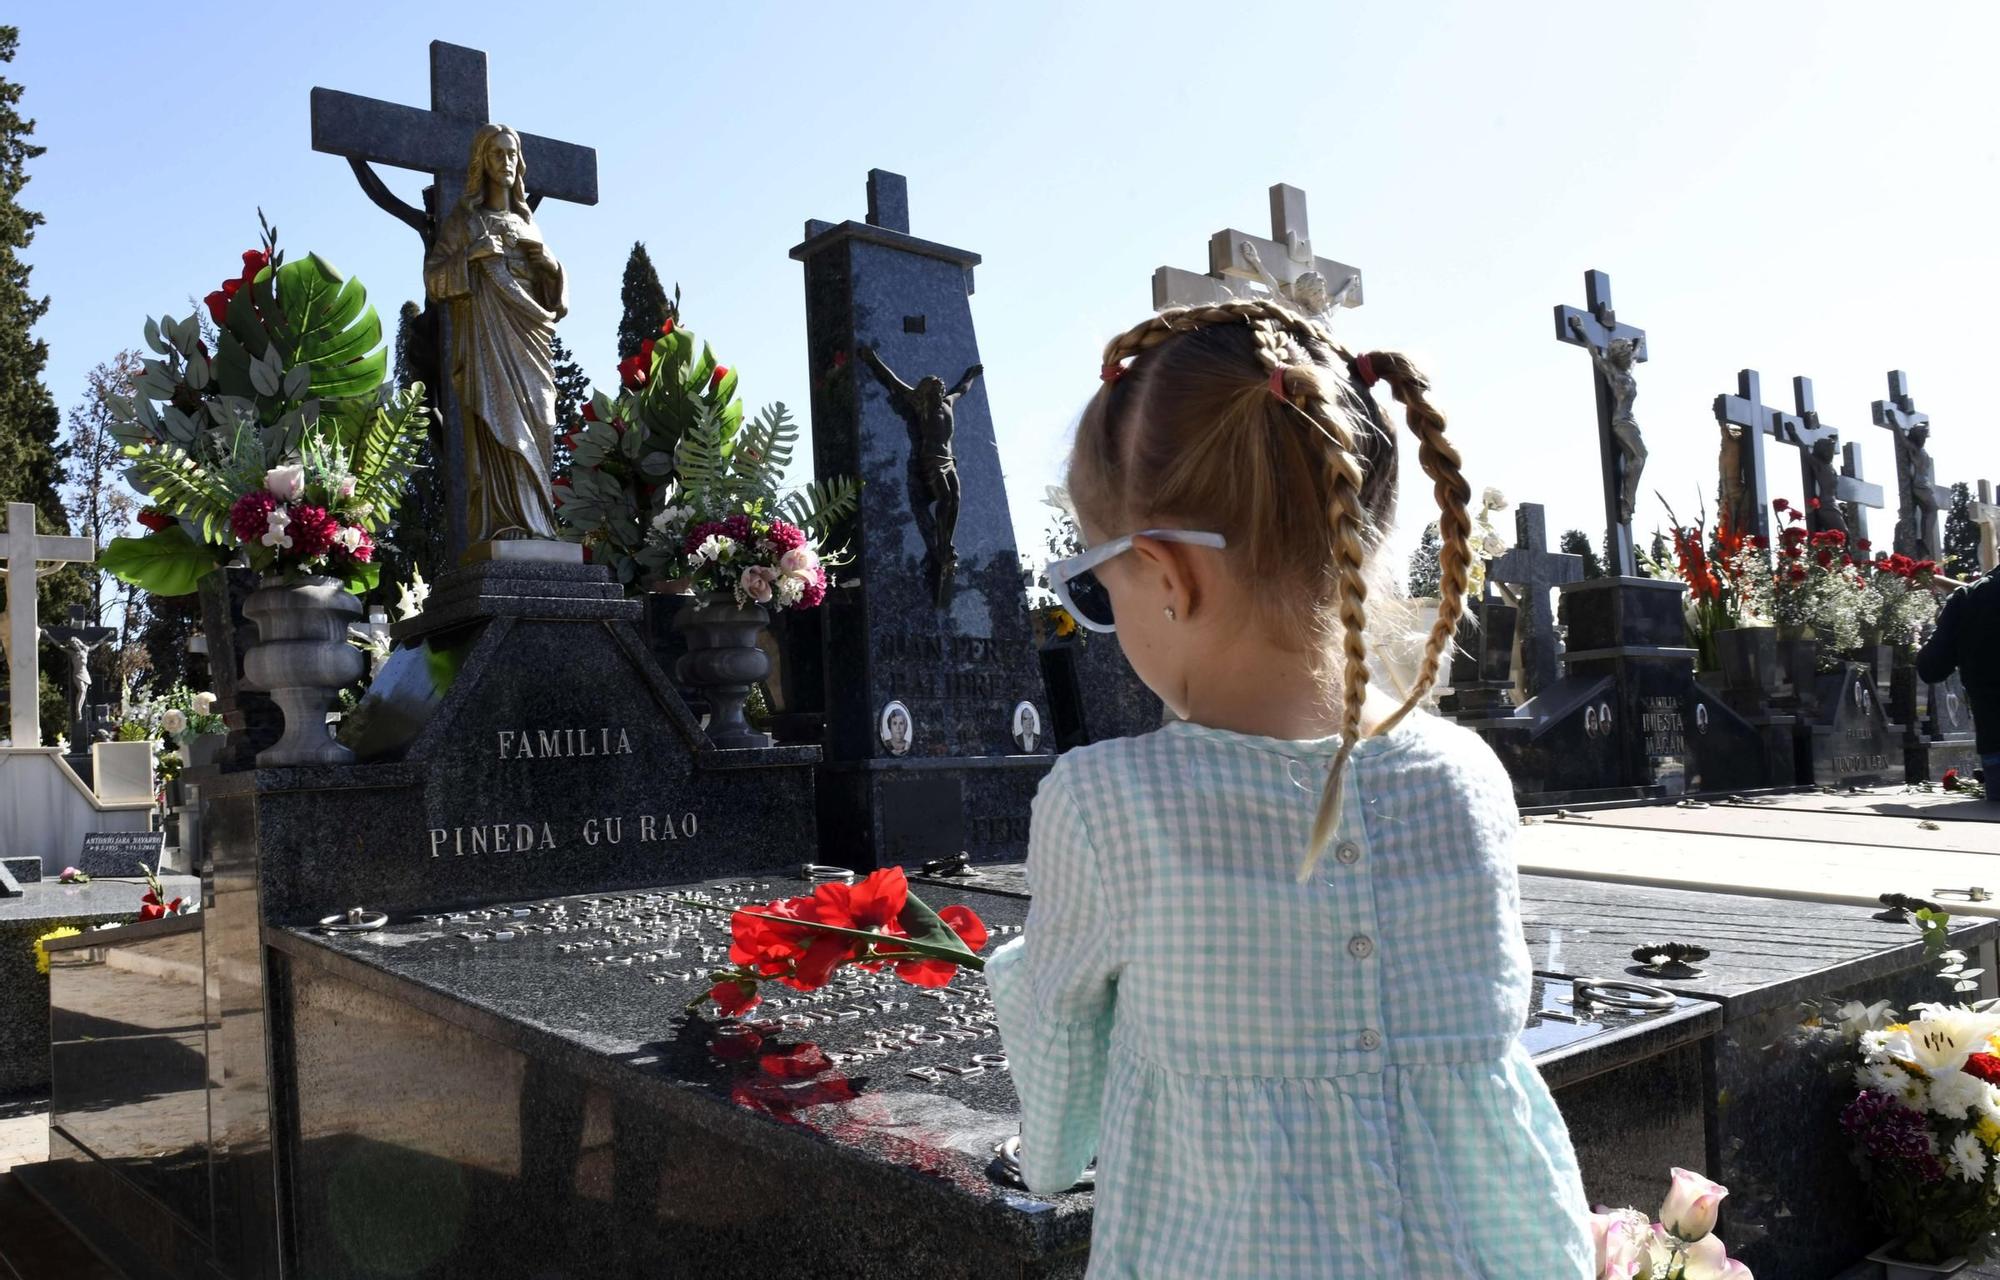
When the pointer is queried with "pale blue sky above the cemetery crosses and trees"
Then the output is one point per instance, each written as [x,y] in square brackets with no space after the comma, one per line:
[1799,189]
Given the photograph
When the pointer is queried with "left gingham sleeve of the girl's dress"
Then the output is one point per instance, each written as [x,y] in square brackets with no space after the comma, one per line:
[1055,993]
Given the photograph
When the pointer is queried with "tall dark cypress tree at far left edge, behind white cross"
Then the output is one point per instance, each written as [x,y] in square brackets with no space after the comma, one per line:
[31,447]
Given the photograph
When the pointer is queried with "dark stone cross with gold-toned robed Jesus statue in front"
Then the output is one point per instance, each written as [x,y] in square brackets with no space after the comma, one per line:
[501,289]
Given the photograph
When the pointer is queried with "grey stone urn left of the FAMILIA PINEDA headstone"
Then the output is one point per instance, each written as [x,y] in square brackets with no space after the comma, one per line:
[303,661]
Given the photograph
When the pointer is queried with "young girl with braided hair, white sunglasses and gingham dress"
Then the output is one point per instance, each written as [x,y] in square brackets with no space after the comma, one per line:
[1273,973]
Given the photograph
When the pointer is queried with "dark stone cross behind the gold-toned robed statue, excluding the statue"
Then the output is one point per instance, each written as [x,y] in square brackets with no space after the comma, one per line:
[439,143]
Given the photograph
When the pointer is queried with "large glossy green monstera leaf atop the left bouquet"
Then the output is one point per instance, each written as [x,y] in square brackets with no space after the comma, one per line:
[313,317]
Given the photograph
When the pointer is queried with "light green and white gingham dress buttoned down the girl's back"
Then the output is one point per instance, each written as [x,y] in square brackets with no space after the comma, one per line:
[1287,1079]
